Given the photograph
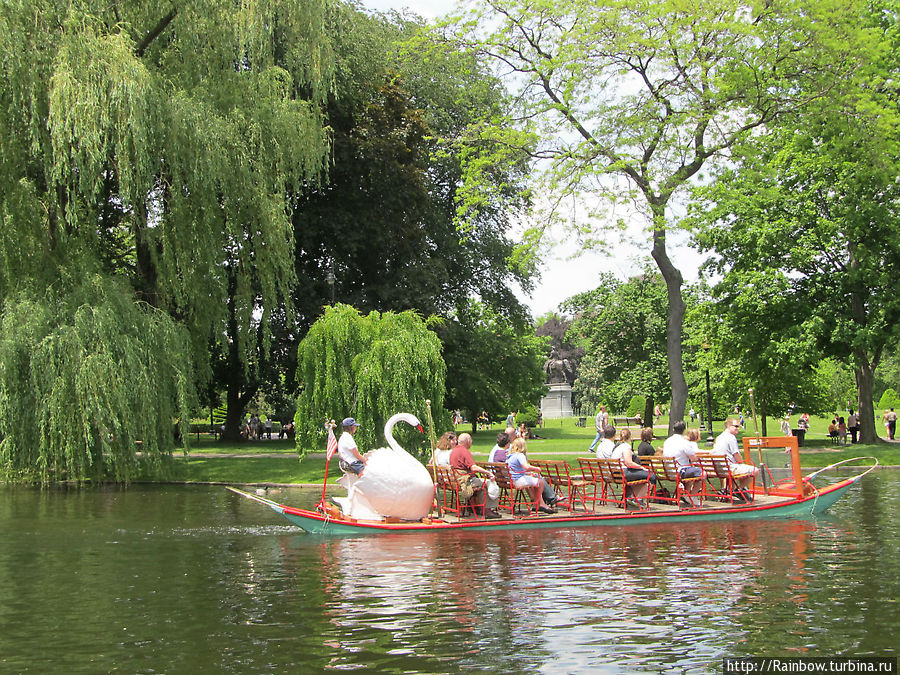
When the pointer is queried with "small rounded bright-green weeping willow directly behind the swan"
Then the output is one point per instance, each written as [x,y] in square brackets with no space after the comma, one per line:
[367,367]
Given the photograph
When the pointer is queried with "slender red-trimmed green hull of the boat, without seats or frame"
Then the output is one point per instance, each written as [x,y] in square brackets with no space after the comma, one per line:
[812,505]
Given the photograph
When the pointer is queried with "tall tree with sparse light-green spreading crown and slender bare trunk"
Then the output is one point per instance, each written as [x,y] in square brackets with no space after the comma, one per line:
[650,92]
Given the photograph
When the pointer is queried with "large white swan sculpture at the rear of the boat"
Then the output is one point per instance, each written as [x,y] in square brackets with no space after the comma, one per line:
[394,484]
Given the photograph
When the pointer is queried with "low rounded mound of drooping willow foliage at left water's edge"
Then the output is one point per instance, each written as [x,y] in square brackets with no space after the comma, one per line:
[85,376]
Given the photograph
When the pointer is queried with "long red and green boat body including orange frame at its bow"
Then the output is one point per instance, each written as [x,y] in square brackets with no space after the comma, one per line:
[793,497]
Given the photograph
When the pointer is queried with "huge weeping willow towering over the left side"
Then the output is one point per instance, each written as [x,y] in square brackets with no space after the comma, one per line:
[157,143]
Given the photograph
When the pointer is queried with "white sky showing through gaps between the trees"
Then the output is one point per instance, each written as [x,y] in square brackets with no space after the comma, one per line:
[567,269]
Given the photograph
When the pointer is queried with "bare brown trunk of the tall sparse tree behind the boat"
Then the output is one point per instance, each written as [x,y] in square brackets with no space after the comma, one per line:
[674,316]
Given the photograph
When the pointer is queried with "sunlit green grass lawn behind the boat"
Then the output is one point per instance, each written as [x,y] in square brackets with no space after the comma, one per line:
[562,439]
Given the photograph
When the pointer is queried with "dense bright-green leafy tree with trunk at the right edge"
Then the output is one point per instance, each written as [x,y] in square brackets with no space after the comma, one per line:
[805,229]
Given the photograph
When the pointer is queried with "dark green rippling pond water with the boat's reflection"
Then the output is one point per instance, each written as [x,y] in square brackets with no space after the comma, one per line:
[180,579]
